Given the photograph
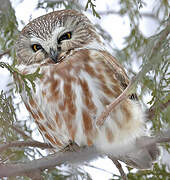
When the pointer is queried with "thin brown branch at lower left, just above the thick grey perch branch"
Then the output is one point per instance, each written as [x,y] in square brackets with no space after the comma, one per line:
[23,144]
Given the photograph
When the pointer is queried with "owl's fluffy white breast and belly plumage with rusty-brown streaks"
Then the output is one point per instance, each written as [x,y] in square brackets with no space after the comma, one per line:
[72,94]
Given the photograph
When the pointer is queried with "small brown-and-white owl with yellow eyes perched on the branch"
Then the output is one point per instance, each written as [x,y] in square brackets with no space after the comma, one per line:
[79,80]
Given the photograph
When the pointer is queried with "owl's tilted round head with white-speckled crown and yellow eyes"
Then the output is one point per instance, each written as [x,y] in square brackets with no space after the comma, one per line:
[55,33]
